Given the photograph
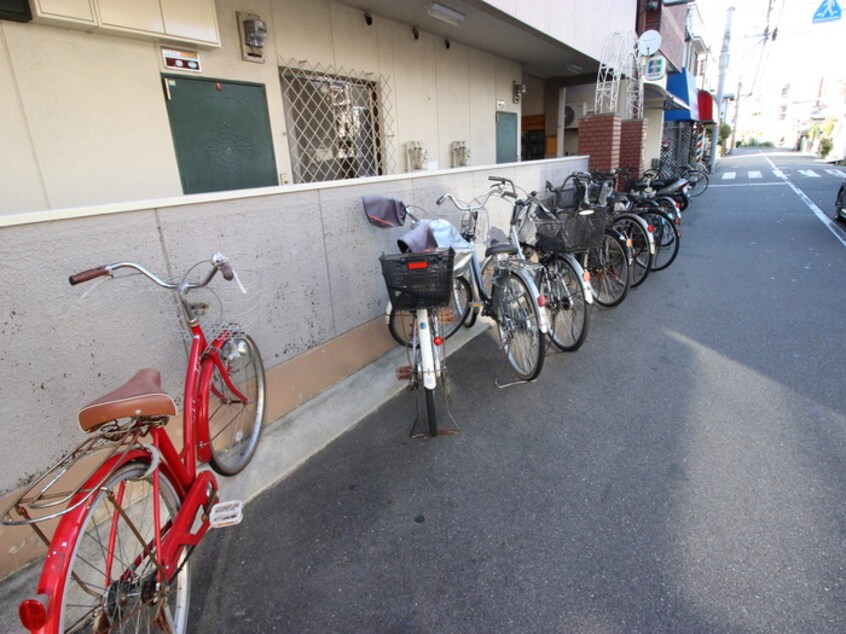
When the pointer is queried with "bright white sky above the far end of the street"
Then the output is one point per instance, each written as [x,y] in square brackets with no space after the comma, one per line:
[801,53]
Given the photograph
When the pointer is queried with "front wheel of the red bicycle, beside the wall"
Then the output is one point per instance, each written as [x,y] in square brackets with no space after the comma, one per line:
[235,426]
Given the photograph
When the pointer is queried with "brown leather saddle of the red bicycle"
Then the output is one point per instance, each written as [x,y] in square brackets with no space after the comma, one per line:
[141,396]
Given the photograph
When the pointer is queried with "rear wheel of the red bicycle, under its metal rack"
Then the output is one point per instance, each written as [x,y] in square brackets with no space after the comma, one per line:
[113,587]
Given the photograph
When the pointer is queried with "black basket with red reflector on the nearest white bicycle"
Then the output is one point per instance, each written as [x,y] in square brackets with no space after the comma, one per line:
[418,280]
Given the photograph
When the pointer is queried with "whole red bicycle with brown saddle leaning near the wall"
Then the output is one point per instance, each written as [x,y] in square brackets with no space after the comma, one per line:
[118,559]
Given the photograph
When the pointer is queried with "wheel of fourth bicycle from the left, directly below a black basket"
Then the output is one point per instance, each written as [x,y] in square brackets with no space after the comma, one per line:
[567,305]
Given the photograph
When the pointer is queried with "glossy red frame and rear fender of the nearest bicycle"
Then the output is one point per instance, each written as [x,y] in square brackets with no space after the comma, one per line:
[197,491]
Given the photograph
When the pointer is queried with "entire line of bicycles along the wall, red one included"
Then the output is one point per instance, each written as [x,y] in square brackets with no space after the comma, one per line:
[125,509]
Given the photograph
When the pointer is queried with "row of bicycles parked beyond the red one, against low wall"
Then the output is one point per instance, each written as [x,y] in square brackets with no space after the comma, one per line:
[572,246]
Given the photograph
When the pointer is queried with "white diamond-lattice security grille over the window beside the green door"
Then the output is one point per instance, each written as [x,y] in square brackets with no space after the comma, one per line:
[340,123]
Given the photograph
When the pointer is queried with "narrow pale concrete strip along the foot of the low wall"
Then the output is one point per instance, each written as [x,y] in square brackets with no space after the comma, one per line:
[286,444]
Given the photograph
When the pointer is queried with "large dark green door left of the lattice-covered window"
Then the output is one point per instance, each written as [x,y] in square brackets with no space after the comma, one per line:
[221,132]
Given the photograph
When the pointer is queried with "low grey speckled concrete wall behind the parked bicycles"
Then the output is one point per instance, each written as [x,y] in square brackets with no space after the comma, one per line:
[322,291]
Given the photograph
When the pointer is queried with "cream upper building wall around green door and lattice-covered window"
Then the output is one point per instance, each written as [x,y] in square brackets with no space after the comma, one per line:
[83,118]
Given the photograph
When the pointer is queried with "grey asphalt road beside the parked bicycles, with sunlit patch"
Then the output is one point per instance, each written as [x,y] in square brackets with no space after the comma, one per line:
[683,472]
